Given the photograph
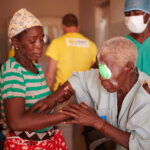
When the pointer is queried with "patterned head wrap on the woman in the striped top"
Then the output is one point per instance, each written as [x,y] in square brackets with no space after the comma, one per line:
[21,21]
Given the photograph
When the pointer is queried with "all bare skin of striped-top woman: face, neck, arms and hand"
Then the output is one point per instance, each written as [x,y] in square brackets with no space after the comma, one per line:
[18,119]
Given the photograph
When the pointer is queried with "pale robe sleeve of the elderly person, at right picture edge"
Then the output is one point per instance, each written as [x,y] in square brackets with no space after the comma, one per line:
[139,122]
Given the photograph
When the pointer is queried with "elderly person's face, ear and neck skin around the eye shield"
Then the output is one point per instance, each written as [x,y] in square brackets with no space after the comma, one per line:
[122,80]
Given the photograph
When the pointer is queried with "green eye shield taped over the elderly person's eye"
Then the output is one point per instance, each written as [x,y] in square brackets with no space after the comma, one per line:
[104,71]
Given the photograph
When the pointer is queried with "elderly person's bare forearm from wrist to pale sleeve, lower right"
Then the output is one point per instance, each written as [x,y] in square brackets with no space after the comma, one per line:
[113,133]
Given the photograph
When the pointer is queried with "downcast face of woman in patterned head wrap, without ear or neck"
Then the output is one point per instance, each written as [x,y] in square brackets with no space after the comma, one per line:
[31,43]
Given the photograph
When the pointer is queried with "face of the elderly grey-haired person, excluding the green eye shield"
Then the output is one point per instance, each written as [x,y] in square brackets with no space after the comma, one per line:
[118,75]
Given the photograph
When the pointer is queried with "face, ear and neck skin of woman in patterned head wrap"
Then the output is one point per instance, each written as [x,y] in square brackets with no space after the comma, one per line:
[29,47]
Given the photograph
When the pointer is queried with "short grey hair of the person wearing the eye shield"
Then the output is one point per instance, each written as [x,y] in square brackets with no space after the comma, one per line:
[122,49]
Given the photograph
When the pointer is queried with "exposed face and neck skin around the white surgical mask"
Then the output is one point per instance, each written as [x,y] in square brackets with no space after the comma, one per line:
[144,35]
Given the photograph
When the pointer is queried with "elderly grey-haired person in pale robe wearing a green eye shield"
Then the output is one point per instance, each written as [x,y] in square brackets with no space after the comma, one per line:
[118,92]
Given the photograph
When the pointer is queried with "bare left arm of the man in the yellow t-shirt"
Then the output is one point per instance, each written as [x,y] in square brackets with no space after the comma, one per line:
[51,73]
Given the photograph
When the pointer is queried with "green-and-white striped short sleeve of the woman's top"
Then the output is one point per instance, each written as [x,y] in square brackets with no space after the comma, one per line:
[12,84]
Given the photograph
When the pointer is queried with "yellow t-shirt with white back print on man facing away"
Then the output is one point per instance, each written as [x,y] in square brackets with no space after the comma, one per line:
[73,52]
